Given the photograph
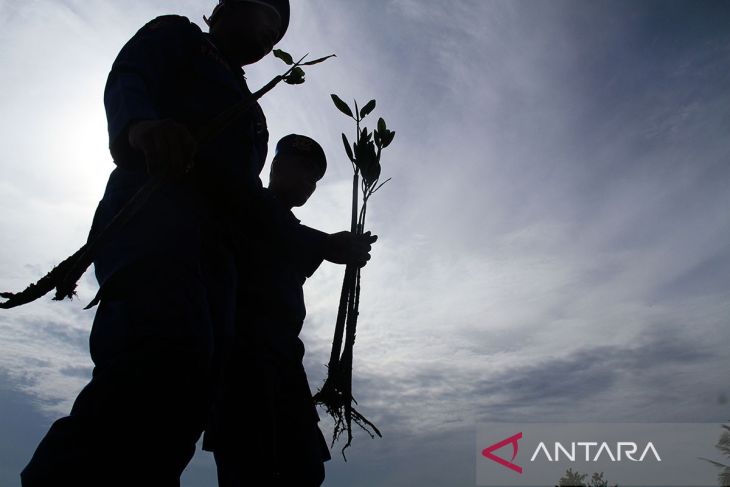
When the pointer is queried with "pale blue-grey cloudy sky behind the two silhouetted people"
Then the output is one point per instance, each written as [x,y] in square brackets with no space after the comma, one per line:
[553,245]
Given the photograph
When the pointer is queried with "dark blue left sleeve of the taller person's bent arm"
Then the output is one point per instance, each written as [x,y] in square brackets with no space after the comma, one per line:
[134,86]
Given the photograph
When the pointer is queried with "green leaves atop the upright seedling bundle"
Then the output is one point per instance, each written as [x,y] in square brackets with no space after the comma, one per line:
[366,150]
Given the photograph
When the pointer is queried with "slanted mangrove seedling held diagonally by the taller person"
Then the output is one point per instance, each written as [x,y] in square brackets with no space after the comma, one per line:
[64,277]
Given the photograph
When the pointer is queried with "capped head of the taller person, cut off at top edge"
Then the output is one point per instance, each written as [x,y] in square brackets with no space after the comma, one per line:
[247,30]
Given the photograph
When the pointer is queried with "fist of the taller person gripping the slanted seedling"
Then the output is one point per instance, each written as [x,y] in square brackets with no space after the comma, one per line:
[168,146]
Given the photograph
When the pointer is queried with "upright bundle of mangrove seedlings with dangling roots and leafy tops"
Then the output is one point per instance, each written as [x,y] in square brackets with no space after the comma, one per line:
[336,392]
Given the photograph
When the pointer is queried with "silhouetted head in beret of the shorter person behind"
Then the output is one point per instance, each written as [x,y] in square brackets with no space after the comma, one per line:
[297,166]
